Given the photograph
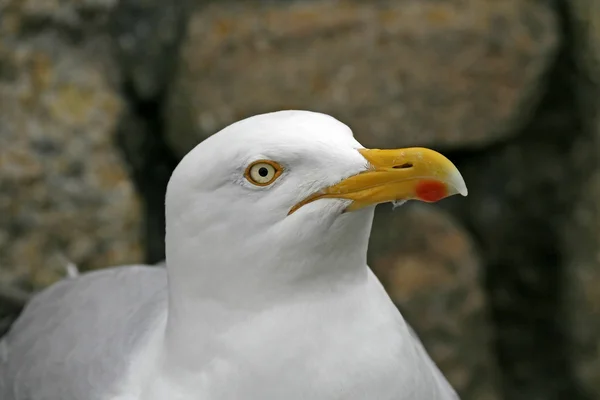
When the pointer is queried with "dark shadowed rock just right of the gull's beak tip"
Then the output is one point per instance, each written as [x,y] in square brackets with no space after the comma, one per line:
[520,193]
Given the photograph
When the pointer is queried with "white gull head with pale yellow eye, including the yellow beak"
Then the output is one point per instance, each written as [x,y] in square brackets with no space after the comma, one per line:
[288,196]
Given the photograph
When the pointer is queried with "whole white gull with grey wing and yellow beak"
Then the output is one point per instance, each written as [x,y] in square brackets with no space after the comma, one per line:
[266,292]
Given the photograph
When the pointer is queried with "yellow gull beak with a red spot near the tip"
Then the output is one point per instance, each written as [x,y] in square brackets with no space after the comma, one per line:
[395,175]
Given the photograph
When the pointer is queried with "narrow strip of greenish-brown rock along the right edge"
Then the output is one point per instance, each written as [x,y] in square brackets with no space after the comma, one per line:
[582,227]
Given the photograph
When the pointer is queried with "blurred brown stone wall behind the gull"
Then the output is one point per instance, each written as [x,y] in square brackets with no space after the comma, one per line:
[99,99]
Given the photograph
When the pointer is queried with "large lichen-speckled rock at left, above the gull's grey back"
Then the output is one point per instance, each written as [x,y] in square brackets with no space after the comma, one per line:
[64,189]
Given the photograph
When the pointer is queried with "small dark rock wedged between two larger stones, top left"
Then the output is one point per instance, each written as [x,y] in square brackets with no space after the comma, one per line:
[147,34]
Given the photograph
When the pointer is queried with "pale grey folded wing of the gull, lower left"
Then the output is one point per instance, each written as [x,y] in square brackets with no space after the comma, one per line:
[71,341]
